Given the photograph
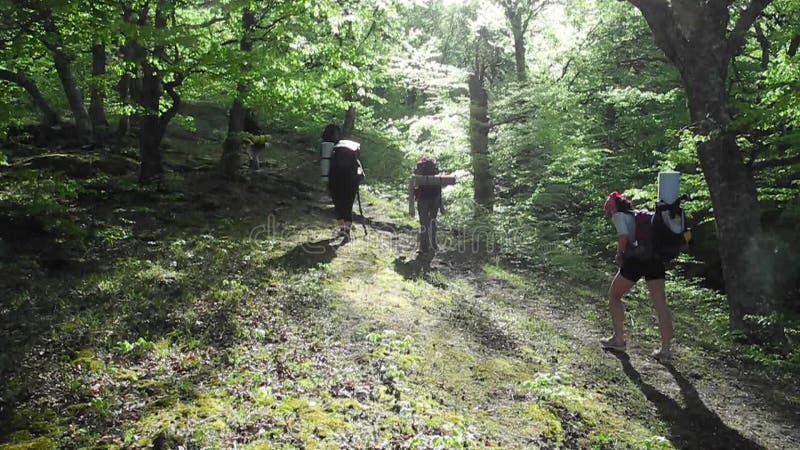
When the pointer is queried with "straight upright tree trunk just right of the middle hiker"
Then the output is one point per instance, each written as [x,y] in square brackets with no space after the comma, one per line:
[479,146]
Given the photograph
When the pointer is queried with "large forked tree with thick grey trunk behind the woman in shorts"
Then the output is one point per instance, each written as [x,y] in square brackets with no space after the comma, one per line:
[697,37]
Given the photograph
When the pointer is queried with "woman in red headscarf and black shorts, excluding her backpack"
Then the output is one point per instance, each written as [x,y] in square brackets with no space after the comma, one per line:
[635,260]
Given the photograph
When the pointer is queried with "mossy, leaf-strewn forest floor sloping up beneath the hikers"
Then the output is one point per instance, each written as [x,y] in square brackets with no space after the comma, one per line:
[210,314]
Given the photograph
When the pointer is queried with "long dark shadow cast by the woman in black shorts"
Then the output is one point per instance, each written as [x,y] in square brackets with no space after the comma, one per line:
[692,425]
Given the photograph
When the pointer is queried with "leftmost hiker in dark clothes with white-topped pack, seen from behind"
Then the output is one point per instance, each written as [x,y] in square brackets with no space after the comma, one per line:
[344,178]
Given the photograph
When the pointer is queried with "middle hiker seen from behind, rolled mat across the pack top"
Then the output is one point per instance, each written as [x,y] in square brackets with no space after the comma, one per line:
[429,203]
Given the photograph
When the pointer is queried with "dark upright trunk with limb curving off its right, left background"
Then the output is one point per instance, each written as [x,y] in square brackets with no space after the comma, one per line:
[151,132]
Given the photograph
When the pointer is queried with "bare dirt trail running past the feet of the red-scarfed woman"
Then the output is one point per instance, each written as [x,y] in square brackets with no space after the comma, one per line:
[700,402]
